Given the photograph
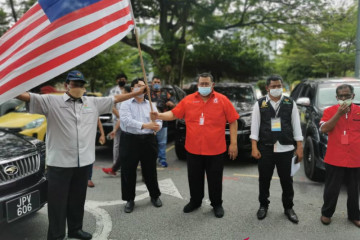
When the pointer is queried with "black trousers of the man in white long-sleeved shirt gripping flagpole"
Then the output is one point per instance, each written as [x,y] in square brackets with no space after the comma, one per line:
[135,148]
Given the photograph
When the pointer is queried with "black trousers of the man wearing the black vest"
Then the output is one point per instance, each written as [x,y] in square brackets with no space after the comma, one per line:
[266,164]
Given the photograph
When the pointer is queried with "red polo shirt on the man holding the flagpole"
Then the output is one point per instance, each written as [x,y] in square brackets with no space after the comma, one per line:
[209,138]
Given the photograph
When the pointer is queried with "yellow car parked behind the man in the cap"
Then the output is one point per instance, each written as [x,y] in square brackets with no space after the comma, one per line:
[21,121]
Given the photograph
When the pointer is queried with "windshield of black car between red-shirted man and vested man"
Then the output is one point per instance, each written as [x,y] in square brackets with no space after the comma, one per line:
[237,93]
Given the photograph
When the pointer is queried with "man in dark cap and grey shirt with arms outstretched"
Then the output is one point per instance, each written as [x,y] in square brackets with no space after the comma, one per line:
[70,147]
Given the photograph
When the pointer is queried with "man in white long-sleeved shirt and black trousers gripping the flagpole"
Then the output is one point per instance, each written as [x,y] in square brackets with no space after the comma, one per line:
[138,144]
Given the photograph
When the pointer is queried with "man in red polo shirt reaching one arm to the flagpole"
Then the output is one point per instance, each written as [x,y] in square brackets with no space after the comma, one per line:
[205,113]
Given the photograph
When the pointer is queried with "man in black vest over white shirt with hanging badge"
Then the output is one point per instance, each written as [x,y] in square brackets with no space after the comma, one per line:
[275,127]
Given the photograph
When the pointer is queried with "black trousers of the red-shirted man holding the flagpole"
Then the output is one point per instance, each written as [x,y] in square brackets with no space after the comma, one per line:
[213,166]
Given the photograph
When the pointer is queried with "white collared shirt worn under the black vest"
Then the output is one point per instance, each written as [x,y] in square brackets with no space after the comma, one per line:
[295,122]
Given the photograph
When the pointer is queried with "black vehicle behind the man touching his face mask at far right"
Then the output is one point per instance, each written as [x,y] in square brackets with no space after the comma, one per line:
[312,97]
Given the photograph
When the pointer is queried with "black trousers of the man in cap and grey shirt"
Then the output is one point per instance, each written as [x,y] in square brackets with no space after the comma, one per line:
[66,199]
